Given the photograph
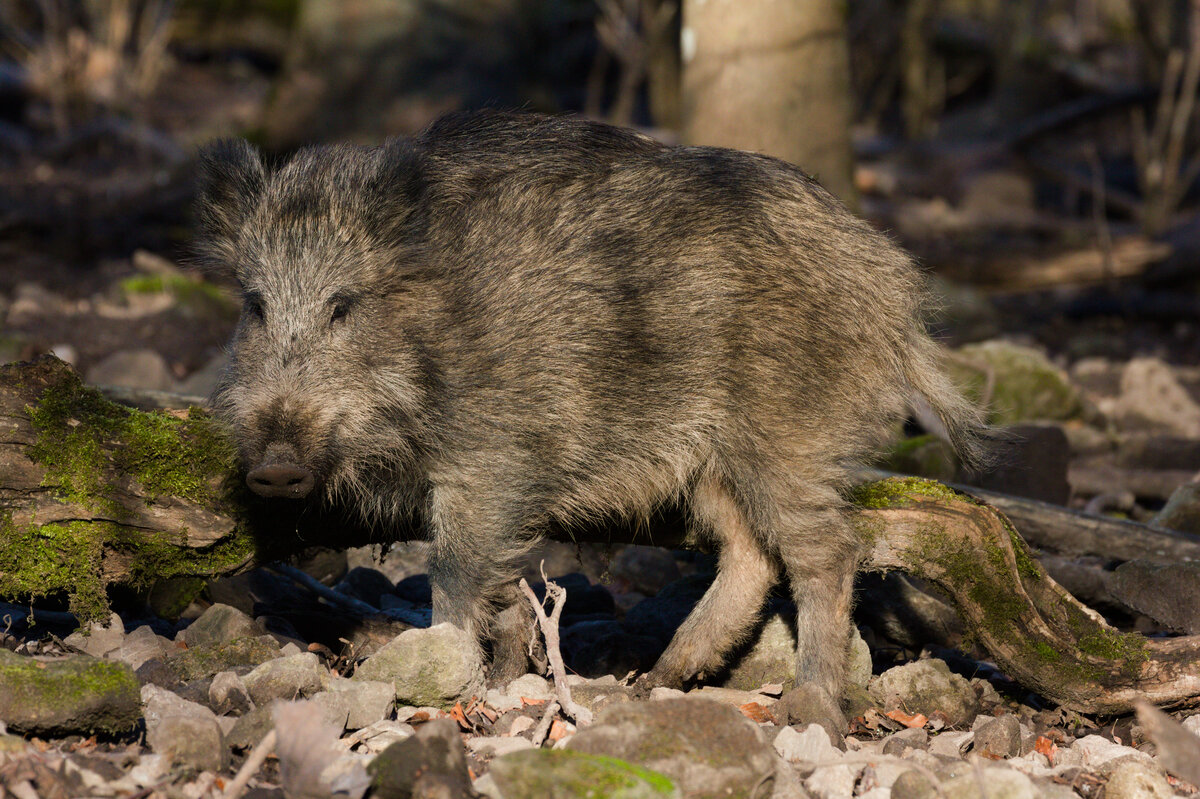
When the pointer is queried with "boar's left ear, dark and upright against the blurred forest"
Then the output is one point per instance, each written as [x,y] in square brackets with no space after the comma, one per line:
[231,183]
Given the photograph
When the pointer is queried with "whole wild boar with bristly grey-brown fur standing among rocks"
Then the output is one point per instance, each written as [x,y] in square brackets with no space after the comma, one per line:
[514,320]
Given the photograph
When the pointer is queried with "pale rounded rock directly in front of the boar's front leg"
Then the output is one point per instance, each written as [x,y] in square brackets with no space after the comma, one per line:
[428,668]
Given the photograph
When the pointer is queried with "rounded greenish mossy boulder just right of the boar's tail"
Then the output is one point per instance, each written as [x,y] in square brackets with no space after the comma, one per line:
[1025,386]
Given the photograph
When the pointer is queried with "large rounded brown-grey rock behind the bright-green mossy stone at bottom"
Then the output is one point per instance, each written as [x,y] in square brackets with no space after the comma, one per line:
[706,748]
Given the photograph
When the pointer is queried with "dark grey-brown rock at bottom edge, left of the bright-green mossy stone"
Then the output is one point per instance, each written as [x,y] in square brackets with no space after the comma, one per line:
[430,764]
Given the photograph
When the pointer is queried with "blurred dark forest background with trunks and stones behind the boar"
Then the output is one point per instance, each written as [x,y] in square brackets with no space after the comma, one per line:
[1040,157]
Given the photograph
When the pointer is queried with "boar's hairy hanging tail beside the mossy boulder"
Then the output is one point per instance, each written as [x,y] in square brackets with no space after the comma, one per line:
[943,408]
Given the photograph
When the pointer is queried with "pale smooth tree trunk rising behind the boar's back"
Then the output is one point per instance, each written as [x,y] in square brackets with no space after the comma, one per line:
[772,76]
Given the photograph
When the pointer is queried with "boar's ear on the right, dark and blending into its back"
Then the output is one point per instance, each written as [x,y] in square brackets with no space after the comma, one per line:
[398,191]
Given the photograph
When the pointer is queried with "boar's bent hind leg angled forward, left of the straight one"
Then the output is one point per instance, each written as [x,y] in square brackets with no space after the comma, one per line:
[727,614]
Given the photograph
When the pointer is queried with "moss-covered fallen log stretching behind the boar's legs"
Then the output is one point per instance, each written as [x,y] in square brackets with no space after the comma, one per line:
[94,495]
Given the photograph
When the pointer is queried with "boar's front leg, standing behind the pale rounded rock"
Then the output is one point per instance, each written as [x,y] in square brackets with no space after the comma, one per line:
[478,544]
